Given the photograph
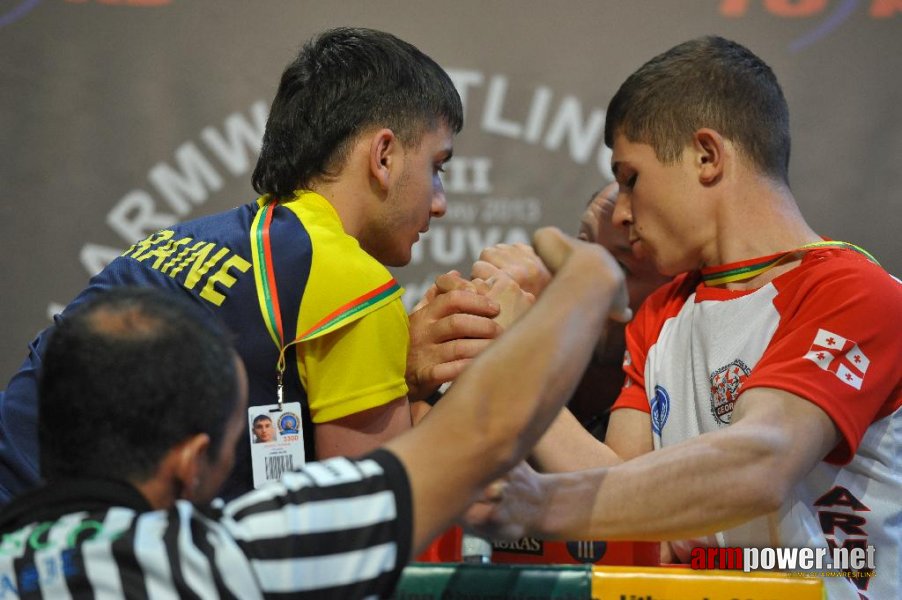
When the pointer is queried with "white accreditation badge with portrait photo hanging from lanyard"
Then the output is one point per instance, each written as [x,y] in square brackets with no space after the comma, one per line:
[277,440]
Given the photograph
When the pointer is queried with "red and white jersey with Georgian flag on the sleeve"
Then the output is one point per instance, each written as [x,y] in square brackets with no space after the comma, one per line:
[829,331]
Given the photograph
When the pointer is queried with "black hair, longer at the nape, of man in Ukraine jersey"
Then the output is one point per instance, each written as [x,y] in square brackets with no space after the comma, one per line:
[343,82]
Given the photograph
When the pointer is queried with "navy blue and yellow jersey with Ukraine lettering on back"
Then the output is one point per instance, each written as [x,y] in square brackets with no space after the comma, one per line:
[340,306]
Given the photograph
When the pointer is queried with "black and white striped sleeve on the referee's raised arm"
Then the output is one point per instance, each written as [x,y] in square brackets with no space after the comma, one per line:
[338,528]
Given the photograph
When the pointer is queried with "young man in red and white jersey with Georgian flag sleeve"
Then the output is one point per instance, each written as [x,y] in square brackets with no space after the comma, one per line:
[762,401]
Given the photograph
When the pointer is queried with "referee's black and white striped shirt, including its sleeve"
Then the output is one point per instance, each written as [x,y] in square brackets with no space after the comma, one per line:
[335,529]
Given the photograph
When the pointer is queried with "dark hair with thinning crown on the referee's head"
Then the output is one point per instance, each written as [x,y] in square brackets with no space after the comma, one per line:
[126,377]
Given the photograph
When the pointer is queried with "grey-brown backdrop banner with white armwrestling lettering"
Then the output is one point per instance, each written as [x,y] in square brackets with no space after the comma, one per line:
[120,117]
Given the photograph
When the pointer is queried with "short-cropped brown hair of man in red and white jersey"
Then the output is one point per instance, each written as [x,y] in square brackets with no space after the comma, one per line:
[706,82]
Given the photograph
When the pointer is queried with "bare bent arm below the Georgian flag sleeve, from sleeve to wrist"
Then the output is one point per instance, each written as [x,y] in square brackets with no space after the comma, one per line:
[706,484]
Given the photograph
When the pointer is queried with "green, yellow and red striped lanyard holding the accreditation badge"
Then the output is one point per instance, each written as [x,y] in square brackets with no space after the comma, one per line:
[269,296]
